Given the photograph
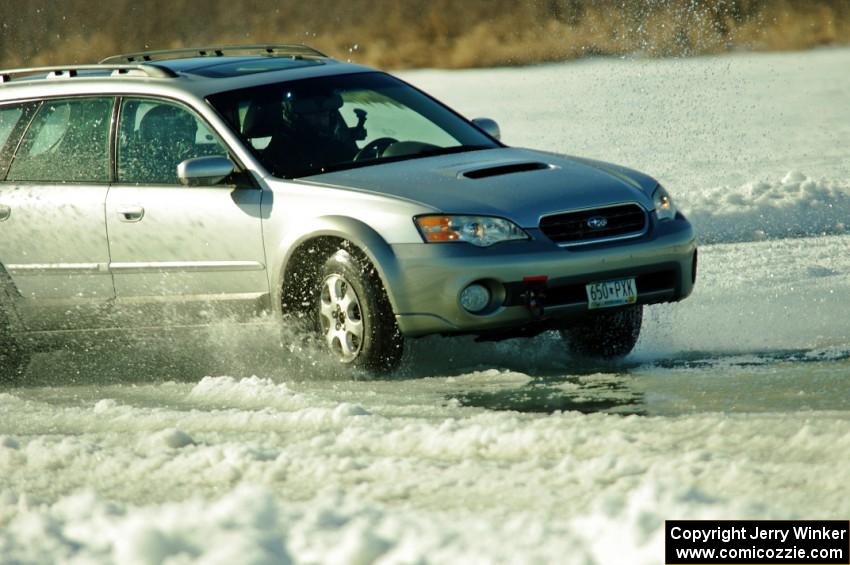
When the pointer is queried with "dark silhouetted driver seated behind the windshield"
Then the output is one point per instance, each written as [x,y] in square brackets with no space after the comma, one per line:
[312,134]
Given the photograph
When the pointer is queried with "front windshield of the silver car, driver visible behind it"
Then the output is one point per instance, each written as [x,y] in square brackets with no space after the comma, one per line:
[312,126]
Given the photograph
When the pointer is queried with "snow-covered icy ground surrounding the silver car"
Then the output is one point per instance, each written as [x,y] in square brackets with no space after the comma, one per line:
[735,404]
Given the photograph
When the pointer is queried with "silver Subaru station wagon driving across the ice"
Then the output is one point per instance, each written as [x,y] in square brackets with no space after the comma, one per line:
[186,186]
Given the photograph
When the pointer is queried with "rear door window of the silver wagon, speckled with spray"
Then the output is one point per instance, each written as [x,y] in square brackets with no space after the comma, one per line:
[68,141]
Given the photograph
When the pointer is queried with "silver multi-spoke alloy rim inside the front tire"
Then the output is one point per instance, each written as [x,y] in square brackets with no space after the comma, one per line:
[341,318]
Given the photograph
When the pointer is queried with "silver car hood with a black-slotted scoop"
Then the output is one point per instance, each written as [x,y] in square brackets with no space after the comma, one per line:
[518,184]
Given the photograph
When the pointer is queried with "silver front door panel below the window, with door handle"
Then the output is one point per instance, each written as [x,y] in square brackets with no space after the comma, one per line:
[191,242]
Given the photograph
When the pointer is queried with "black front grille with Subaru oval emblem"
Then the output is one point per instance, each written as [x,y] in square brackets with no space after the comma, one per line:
[573,228]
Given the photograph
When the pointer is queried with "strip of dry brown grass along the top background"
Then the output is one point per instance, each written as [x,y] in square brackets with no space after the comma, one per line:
[420,33]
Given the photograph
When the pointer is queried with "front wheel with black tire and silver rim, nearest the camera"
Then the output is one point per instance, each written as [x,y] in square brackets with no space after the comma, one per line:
[354,317]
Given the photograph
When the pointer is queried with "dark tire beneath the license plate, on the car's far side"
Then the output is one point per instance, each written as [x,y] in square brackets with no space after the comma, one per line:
[605,335]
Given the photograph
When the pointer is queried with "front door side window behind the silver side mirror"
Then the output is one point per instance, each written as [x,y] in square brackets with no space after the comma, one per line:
[155,136]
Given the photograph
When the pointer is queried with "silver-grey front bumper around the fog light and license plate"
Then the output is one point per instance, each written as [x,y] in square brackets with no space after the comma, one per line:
[429,278]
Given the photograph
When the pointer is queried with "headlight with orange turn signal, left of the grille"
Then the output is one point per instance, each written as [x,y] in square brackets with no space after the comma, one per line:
[482,231]
